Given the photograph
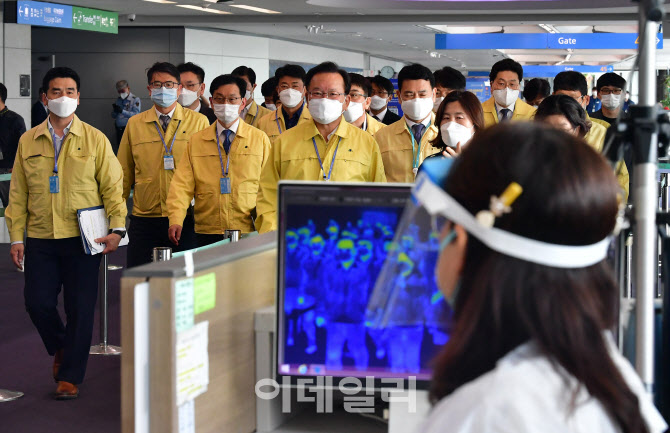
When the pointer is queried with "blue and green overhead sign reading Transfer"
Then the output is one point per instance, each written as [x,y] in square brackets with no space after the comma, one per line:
[67,17]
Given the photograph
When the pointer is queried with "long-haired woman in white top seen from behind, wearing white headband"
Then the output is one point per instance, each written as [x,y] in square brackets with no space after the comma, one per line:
[533,297]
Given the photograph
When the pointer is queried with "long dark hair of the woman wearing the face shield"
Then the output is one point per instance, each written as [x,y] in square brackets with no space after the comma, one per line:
[570,198]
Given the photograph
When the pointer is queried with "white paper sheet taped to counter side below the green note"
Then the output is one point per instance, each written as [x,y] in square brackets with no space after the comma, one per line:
[192,362]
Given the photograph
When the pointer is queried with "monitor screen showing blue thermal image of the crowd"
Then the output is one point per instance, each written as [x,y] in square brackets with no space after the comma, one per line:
[333,242]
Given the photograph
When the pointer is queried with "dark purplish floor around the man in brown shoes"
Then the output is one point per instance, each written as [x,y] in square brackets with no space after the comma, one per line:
[25,366]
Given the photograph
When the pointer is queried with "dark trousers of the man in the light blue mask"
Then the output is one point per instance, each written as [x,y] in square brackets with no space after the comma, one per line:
[147,233]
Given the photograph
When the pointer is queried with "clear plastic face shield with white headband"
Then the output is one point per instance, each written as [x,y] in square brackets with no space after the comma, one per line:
[406,293]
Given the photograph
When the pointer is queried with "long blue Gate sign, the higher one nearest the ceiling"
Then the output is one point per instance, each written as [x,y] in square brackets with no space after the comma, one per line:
[530,41]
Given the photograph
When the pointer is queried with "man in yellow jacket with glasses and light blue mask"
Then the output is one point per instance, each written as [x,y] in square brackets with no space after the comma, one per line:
[150,151]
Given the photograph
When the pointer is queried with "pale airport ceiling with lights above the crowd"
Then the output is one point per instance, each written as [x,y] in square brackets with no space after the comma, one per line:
[402,30]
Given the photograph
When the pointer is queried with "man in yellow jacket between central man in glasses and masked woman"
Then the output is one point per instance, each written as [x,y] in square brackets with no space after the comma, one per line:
[406,143]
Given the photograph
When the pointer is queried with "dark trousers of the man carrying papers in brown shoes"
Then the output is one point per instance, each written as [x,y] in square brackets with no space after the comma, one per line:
[49,265]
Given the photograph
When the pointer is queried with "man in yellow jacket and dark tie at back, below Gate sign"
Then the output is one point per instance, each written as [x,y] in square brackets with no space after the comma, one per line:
[505,105]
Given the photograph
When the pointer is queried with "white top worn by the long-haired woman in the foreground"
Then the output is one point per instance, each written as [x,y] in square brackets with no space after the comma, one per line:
[526,393]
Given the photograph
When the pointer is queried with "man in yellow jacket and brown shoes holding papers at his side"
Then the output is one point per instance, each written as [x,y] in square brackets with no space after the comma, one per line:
[62,165]
